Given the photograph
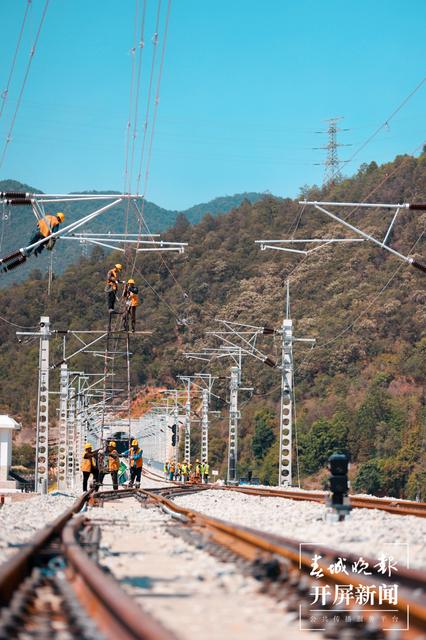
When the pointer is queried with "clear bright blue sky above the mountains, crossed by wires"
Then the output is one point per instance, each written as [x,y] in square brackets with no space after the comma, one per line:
[245,88]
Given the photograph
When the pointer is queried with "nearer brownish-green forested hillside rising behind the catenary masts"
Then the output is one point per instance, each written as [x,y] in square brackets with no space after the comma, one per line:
[361,389]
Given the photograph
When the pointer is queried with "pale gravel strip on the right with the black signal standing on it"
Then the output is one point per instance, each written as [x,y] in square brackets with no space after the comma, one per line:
[367,531]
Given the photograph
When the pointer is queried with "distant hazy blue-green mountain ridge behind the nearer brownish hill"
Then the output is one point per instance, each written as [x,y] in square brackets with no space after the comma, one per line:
[17,224]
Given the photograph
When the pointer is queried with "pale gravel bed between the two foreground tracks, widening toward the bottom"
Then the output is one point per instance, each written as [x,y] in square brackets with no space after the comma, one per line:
[192,593]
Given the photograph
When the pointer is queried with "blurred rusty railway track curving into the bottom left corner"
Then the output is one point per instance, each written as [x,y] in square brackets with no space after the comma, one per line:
[54,588]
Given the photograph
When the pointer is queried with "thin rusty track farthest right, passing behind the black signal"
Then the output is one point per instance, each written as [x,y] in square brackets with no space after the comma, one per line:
[390,505]
